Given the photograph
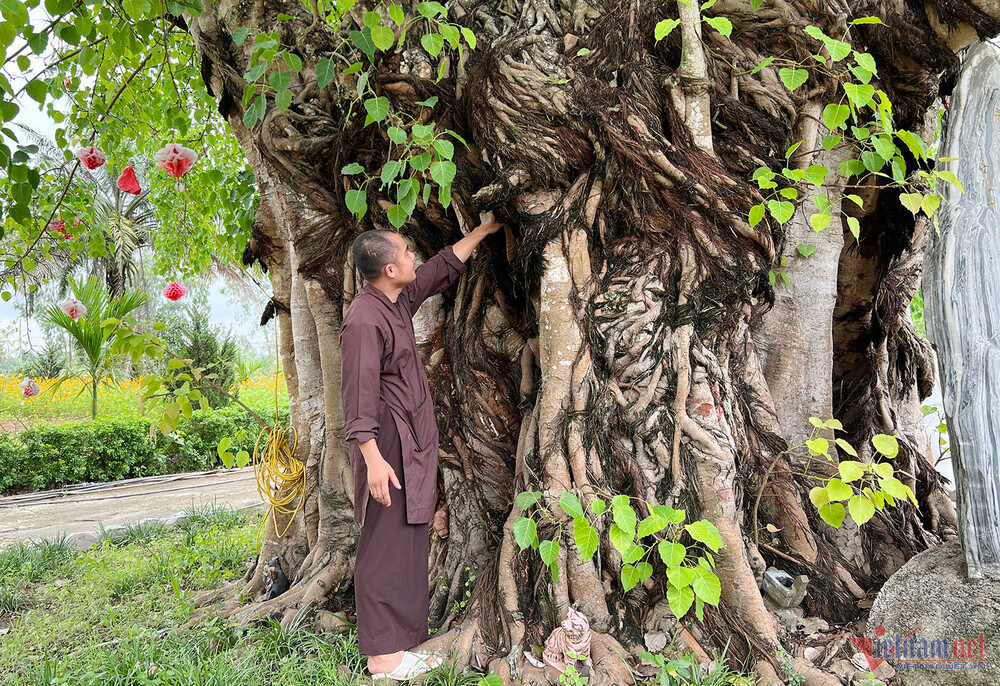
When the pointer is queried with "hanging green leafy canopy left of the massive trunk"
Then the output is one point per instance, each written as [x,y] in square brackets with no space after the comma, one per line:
[124,77]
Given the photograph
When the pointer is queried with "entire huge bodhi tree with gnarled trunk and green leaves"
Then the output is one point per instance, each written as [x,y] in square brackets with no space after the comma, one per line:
[715,215]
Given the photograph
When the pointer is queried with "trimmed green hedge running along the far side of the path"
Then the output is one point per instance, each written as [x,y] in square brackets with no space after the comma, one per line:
[122,447]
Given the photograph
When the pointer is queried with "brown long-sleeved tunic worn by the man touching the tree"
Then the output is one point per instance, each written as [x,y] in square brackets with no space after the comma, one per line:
[383,380]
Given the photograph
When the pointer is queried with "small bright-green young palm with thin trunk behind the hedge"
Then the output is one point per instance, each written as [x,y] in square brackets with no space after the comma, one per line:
[92,338]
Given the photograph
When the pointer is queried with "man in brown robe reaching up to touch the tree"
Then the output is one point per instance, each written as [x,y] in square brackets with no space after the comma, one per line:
[393,441]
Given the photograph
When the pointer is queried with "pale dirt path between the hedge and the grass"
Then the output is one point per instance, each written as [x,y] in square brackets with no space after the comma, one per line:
[78,509]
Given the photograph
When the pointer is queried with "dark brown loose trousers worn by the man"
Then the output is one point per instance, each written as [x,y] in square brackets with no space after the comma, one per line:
[390,576]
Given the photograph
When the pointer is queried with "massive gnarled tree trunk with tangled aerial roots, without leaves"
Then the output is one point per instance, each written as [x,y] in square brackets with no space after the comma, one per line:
[621,336]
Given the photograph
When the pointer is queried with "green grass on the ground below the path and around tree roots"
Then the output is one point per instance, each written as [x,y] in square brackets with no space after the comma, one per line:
[118,615]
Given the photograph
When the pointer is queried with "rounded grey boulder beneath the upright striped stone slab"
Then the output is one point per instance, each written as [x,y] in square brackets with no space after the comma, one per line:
[954,622]
